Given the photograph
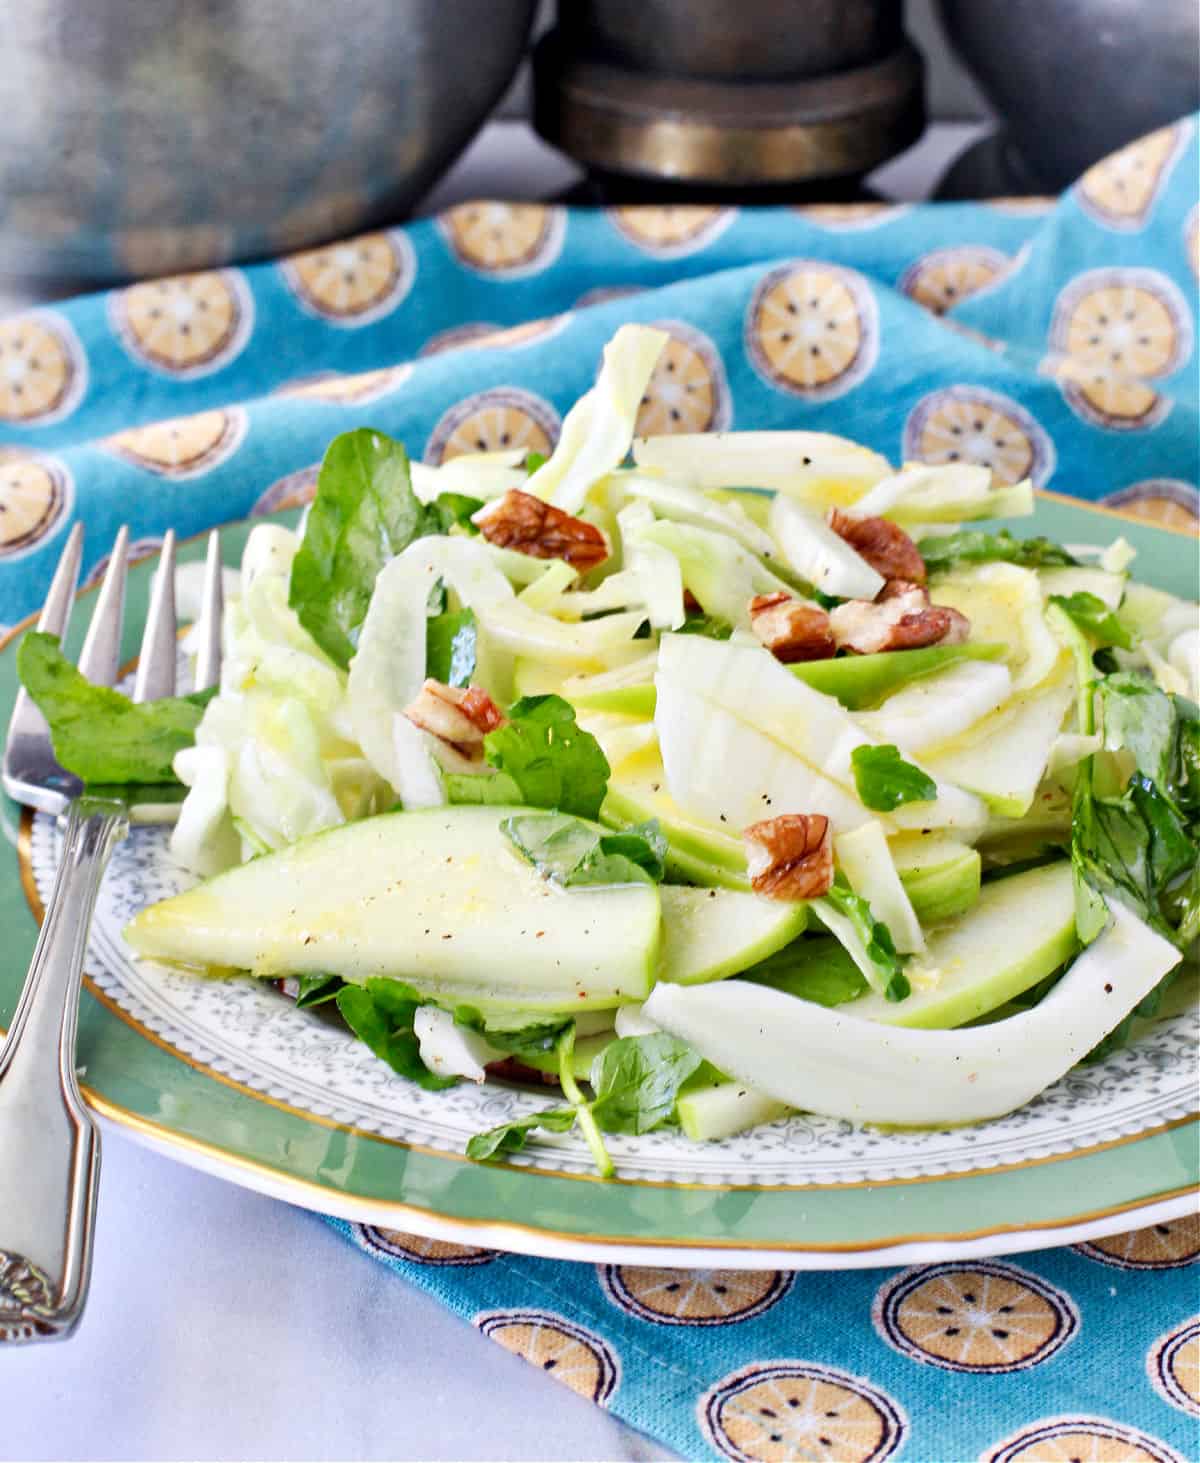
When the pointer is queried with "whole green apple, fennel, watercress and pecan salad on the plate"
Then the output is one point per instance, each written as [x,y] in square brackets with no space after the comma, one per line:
[697,778]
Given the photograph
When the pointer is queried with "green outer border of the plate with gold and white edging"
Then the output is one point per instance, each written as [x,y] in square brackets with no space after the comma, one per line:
[210,1121]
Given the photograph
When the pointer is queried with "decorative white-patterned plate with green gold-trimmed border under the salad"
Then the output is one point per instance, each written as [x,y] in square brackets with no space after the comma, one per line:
[229,1076]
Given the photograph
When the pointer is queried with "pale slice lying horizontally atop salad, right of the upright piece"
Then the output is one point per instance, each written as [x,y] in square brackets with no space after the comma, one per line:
[813,467]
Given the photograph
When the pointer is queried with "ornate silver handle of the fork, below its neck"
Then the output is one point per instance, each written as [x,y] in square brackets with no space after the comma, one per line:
[49,1142]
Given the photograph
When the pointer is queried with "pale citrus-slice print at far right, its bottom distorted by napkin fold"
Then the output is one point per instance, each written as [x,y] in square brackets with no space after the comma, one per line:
[1113,333]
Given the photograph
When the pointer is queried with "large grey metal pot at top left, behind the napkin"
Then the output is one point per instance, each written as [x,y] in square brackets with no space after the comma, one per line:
[143,137]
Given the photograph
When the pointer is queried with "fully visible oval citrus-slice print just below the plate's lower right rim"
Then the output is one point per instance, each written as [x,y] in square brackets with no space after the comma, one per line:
[980,1317]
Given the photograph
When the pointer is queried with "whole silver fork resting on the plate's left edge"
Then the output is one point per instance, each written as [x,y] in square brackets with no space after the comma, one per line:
[49,1140]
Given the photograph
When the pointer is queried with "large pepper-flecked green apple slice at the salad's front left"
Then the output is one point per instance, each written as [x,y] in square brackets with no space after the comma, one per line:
[435,898]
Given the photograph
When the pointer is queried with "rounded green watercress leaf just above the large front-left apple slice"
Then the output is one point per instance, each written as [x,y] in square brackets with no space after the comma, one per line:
[554,761]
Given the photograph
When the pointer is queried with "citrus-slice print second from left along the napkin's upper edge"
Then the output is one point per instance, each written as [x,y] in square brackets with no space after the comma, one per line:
[188,326]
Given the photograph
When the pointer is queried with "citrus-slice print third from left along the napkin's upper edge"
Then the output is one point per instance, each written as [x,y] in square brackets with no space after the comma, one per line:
[353,282]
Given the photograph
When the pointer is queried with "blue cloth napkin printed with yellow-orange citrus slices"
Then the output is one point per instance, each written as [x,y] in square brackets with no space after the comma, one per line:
[1053,340]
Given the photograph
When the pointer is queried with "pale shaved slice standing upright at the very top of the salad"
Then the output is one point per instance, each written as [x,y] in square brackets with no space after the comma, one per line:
[599,428]
